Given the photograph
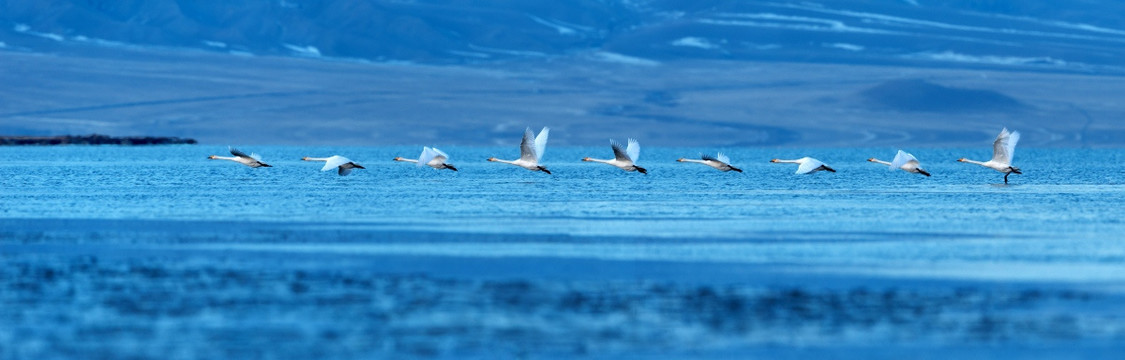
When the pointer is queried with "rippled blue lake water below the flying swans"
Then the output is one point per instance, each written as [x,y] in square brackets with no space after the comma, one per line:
[158,253]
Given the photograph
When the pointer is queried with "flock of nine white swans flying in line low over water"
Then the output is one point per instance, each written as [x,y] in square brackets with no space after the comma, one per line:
[625,158]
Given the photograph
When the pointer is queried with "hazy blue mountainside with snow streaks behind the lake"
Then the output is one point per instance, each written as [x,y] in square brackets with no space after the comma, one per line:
[673,73]
